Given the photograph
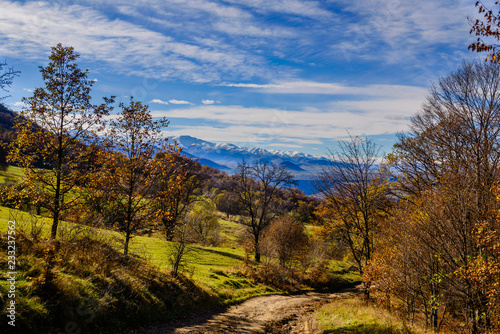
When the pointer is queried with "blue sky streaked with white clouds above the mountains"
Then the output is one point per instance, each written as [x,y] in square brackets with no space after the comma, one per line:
[292,75]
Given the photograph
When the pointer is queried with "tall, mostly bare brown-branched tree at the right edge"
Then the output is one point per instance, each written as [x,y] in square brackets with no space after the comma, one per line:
[447,165]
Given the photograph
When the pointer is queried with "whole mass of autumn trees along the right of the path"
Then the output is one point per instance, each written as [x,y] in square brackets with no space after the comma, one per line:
[424,228]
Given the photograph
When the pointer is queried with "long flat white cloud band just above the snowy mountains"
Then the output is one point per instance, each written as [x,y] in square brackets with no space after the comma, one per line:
[382,110]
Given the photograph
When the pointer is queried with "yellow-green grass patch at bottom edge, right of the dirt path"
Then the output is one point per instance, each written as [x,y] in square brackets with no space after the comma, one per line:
[356,316]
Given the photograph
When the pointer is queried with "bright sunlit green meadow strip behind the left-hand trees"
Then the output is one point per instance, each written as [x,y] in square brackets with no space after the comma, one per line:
[211,268]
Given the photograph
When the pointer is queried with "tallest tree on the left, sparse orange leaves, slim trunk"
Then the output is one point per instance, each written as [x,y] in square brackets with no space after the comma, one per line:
[56,138]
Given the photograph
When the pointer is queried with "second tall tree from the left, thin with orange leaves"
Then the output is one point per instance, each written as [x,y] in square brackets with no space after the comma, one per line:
[129,171]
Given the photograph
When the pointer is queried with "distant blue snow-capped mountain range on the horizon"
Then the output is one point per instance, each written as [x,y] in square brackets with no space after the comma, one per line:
[226,156]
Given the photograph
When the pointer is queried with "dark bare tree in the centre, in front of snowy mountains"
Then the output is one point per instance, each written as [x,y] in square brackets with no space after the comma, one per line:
[258,186]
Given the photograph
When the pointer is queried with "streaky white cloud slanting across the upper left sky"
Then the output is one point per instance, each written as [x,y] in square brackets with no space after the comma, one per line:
[27,29]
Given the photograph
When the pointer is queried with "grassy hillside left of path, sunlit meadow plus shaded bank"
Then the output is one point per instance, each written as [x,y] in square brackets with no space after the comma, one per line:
[213,273]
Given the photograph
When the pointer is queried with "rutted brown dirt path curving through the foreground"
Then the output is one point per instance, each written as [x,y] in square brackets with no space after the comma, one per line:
[266,314]
